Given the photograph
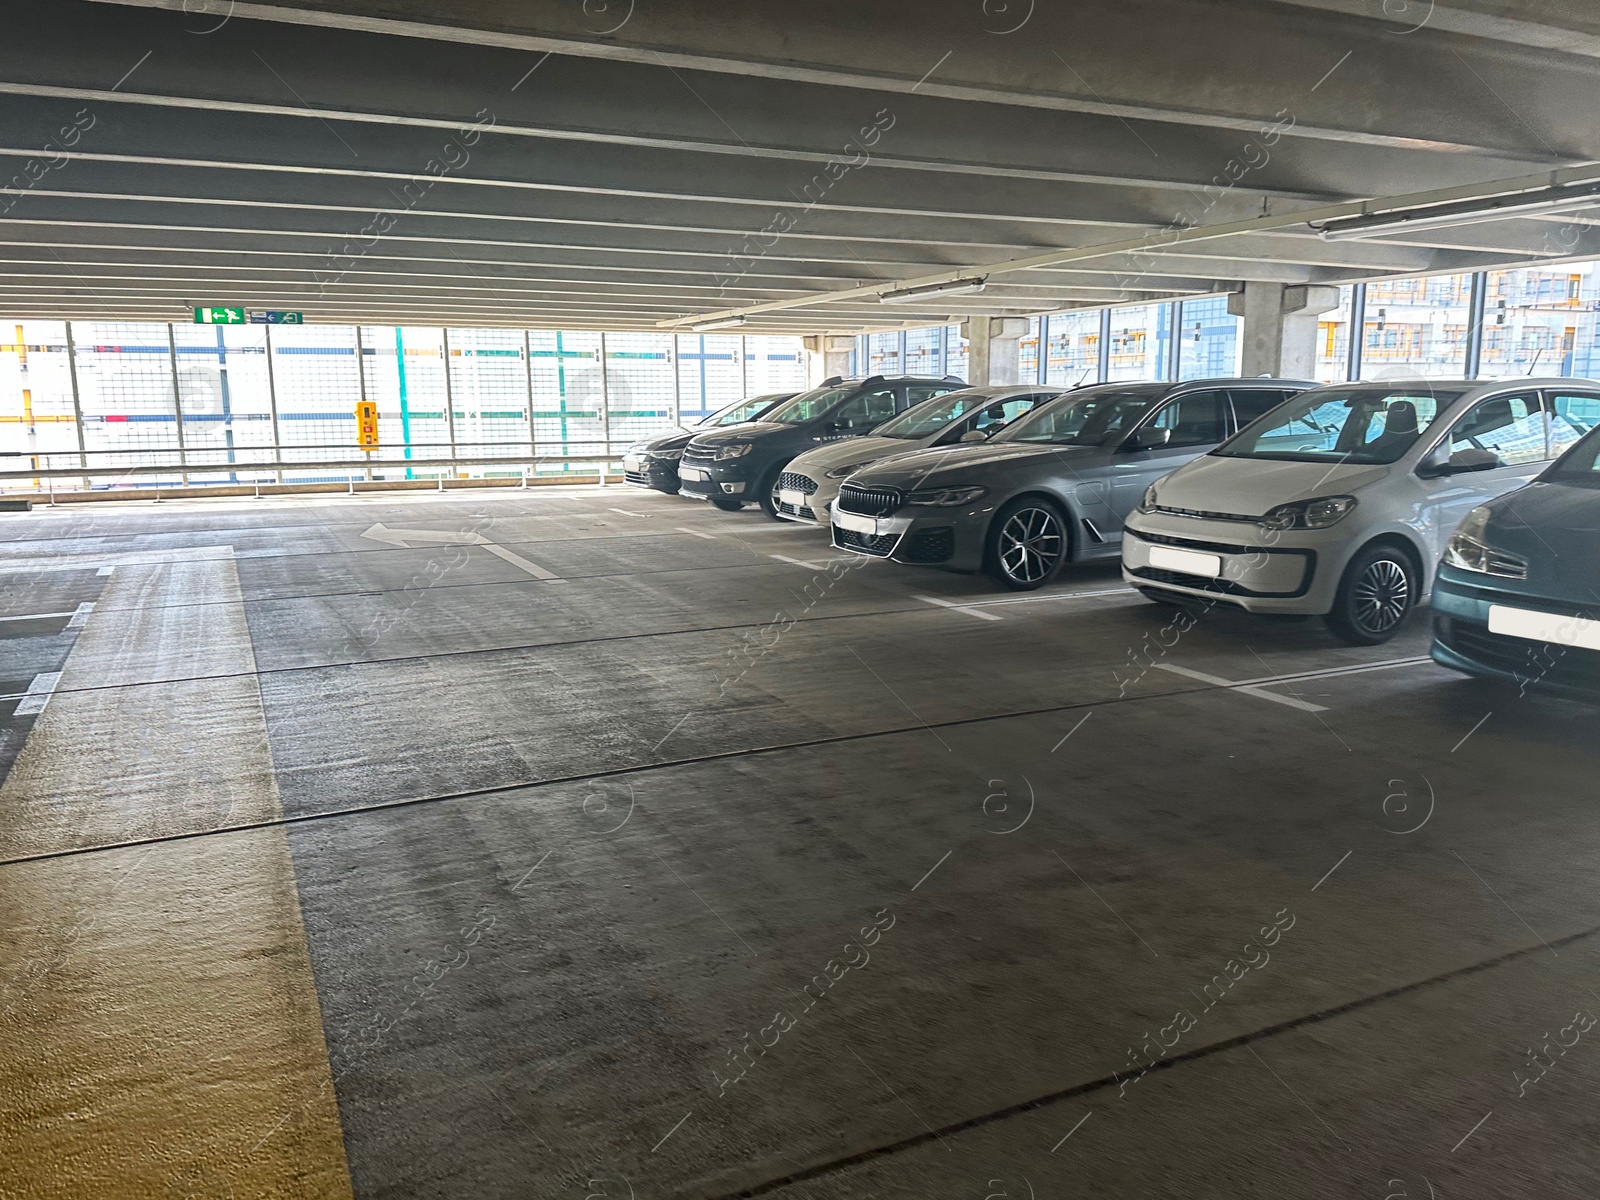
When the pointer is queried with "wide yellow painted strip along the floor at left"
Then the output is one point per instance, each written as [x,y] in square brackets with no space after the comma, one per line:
[159,1023]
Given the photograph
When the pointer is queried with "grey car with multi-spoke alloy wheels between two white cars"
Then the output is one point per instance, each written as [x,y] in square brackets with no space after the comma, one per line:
[1055,486]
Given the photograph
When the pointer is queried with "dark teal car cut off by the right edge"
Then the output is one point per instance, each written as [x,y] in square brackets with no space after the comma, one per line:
[1518,598]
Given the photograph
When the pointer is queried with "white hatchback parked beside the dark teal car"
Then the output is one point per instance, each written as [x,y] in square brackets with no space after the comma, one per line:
[1340,502]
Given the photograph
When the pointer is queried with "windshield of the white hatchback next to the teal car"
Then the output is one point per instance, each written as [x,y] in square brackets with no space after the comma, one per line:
[1348,425]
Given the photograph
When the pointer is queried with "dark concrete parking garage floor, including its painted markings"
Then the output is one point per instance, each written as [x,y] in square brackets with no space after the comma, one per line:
[354,857]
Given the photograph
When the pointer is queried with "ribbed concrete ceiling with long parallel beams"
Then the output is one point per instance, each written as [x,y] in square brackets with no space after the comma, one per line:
[639,166]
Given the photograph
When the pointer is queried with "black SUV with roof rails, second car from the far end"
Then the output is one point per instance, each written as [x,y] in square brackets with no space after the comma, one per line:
[743,463]
